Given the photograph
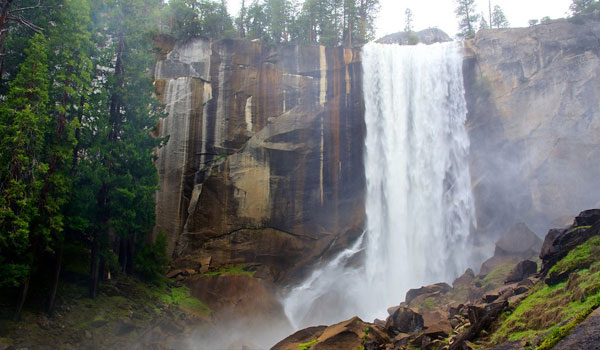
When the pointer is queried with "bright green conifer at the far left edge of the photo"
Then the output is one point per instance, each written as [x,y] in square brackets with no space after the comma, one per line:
[23,123]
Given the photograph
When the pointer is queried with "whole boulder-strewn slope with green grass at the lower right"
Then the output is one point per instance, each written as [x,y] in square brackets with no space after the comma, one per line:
[507,306]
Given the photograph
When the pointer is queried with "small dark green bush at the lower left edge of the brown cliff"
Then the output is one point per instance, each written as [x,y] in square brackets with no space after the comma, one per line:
[151,261]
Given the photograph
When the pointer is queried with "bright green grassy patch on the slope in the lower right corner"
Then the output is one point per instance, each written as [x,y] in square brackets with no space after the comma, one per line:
[553,311]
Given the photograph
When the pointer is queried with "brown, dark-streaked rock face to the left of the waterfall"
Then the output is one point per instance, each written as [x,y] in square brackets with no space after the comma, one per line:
[263,163]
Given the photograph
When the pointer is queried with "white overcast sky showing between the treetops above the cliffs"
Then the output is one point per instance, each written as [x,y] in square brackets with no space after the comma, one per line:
[440,13]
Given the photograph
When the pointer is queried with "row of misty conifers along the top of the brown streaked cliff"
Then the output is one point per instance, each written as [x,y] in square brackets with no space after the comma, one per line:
[326,22]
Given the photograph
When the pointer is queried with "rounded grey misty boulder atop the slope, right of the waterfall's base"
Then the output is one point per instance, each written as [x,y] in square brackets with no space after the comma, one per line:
[518,241]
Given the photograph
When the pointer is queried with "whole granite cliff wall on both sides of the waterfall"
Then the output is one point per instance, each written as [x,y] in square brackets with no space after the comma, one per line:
[263,169]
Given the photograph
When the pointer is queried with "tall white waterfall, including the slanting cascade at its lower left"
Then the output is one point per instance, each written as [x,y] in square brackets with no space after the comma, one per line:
[419,203]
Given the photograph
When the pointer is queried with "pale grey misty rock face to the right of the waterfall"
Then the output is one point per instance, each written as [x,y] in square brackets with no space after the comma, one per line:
[534,122]
